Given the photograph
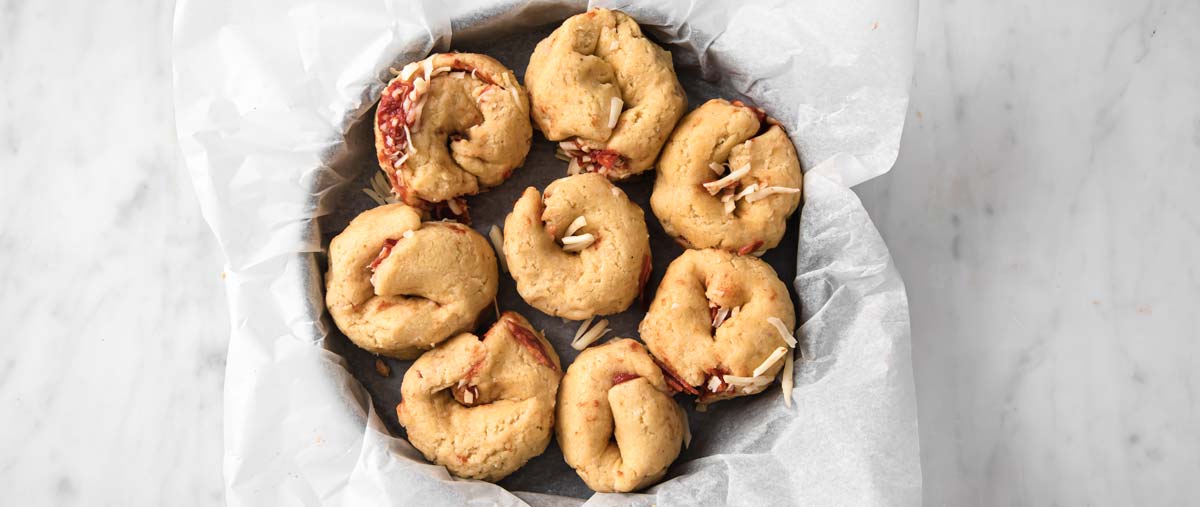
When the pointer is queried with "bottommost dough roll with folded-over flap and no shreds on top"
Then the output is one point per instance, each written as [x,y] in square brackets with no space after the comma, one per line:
[617,424]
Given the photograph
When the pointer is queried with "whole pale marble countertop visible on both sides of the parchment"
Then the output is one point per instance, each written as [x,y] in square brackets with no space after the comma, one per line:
[1042,213]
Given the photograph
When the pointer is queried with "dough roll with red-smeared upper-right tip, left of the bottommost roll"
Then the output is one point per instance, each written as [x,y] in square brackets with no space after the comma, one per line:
[483,408]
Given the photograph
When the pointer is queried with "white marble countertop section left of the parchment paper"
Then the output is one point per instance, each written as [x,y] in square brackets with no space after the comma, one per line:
[115,321]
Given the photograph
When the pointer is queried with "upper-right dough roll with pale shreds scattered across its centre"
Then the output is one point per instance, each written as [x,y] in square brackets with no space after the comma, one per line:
[729,178]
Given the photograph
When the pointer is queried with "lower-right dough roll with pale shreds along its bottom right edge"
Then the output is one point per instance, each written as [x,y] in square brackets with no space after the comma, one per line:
[721,324]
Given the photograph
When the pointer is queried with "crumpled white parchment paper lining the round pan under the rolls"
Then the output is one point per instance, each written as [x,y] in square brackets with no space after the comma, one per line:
[271,104]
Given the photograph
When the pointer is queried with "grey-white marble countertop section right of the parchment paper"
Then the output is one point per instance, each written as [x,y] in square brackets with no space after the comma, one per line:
[1046,214]
